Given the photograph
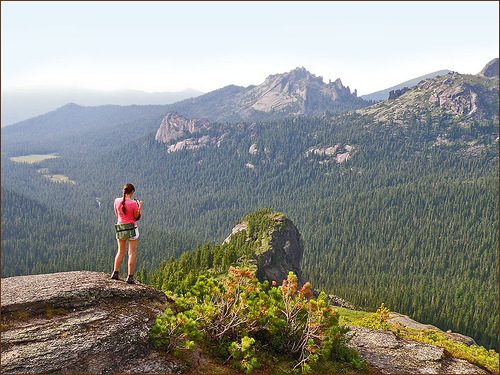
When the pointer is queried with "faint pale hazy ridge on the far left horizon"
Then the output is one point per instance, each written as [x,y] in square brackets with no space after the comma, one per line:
[19,105]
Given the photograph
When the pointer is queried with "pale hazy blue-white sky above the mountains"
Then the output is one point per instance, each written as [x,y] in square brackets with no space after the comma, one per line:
[170,46]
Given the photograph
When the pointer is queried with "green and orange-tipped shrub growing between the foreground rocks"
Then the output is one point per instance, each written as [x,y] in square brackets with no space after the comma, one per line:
[234,315]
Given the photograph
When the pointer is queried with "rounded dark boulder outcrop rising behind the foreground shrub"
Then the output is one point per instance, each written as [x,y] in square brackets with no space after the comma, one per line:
[278,249]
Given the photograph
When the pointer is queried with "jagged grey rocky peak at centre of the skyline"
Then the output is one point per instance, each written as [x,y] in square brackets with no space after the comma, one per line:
[293,93]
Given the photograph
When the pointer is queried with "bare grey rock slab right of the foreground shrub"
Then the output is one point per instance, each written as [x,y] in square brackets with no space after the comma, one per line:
[392,355]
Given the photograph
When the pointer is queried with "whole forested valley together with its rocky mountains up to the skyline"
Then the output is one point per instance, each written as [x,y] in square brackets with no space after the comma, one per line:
[396,201]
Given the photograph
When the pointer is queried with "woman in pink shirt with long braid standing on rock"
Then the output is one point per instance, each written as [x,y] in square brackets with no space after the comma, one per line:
[128,211]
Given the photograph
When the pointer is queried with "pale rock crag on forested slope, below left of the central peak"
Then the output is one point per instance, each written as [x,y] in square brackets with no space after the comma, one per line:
[175,126]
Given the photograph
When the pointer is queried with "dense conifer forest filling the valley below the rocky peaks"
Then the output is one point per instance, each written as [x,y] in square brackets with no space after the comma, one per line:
[407,220]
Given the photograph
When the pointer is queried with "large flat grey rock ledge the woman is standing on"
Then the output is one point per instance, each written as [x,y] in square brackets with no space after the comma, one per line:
[79,322]
